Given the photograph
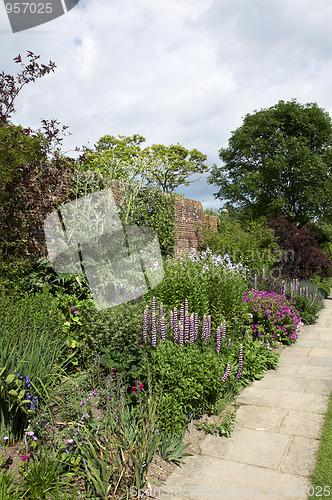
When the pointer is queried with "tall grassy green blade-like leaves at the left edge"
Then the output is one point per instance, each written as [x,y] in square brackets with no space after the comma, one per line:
[30,347]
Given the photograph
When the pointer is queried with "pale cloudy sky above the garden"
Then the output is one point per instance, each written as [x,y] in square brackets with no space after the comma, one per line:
[175,71]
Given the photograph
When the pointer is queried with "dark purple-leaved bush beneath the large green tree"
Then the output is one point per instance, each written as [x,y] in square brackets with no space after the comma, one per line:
[303,256]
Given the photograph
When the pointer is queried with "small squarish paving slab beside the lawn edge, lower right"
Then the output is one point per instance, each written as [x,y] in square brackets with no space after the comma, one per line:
[297,423]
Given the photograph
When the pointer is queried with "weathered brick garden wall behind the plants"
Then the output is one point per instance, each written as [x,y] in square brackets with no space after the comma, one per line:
[189,216]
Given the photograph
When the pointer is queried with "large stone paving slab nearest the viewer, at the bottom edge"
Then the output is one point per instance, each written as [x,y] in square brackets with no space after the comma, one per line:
[214,479]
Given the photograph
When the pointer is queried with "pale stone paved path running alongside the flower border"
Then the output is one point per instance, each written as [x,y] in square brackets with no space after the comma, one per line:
[271,452]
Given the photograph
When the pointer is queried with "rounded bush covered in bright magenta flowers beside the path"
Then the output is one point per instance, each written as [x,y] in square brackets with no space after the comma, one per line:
[274,318]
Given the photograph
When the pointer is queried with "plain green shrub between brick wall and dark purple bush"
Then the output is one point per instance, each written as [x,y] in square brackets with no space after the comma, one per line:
[251,243]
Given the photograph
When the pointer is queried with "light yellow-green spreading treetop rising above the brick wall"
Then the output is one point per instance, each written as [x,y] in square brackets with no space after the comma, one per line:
[159,166]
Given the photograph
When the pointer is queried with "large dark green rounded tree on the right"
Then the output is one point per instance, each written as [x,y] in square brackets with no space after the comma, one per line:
[279,162]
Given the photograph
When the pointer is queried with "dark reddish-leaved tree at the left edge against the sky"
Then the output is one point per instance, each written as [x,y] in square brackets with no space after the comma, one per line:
[30,173]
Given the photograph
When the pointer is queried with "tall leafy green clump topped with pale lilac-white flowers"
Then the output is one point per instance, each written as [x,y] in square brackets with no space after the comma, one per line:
[212,284]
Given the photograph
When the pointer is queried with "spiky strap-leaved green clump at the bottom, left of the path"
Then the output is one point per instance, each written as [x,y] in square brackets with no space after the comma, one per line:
[118,449]
